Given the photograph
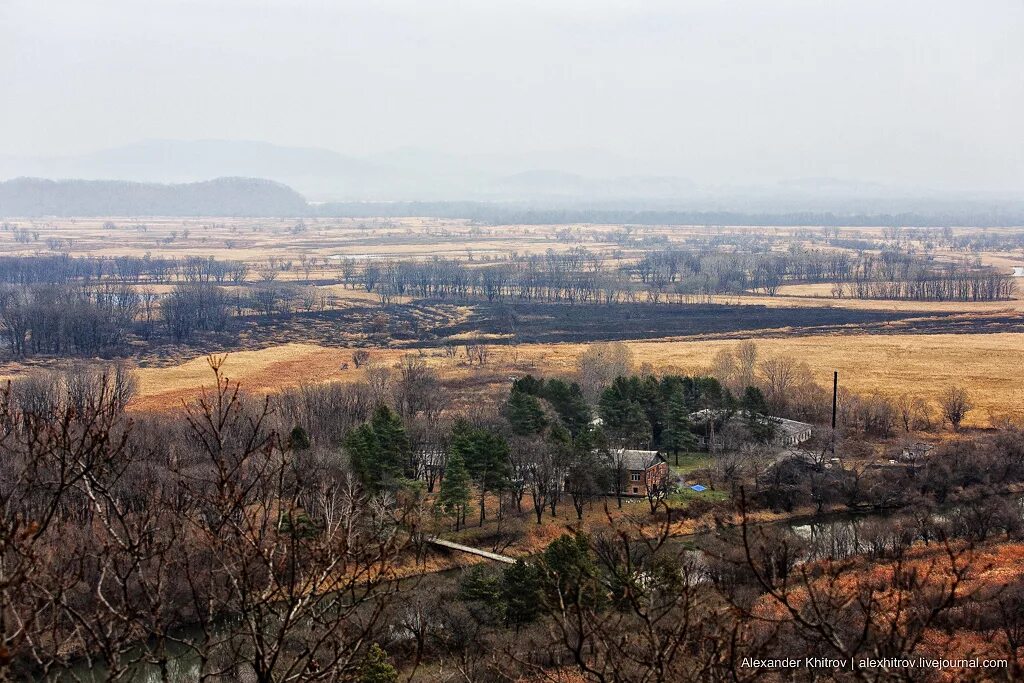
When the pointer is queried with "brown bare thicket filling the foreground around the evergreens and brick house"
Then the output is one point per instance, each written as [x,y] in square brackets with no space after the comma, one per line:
[238,539]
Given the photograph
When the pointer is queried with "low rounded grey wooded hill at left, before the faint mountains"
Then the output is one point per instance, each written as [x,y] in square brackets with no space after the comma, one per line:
[222,197]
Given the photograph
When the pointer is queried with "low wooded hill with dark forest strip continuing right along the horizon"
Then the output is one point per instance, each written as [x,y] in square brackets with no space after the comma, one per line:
[262,198]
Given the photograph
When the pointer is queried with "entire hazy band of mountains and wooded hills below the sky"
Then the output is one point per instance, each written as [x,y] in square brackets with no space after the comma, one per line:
[173,178]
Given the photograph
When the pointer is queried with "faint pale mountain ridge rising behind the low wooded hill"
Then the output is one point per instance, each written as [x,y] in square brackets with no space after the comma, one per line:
[407,175]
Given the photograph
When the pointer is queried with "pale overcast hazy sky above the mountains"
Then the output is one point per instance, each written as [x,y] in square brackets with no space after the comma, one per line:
[921,94]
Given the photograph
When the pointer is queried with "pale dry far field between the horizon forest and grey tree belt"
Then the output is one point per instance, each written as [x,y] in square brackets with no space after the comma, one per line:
[258,240]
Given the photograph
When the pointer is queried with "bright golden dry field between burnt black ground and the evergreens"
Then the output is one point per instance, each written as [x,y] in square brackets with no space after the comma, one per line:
[890,365]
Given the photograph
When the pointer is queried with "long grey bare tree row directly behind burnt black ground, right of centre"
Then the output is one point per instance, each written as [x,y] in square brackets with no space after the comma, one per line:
[669,275]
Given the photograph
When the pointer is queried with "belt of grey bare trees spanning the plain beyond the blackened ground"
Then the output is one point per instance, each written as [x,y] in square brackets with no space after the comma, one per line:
[88,307]
